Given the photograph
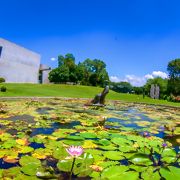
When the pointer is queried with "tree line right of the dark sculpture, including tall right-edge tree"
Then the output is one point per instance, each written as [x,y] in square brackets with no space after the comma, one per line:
[169,87]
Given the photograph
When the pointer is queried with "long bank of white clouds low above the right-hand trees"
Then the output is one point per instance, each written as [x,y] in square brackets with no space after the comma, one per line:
[139,81]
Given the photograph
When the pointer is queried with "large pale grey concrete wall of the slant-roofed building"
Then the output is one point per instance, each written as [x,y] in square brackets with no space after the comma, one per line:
[18,64]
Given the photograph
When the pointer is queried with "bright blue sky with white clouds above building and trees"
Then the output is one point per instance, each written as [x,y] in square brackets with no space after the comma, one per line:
[135,38]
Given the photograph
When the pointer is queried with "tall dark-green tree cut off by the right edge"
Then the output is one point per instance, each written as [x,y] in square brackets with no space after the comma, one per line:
[174,77]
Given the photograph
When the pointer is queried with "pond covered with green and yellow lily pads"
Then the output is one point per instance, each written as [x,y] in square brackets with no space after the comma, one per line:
[120,140]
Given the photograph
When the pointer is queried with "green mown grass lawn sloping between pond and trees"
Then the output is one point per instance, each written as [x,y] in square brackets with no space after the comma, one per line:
[74,91]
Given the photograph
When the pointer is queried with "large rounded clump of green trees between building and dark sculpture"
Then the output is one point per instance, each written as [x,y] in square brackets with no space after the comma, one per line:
[89,72]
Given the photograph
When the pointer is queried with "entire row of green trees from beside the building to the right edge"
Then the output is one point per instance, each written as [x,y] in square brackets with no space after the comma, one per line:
[94,73]
